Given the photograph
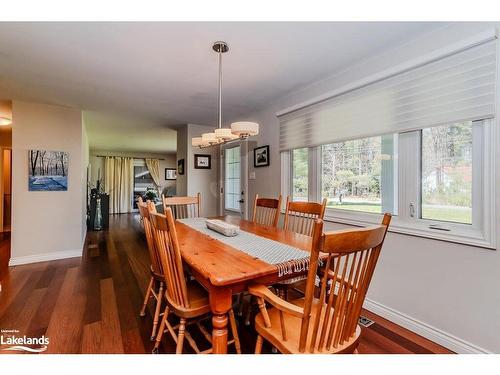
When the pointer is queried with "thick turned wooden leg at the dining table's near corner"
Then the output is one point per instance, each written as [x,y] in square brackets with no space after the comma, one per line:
[220,303]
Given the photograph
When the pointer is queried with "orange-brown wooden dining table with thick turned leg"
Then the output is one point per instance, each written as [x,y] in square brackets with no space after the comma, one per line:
[224,271]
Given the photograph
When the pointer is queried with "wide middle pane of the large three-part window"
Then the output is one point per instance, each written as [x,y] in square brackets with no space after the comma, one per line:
[358,175]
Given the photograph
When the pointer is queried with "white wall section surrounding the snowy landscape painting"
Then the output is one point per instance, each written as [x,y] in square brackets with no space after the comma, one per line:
[46,225]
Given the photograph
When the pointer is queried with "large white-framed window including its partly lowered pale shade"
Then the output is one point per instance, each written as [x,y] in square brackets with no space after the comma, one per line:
[439,178]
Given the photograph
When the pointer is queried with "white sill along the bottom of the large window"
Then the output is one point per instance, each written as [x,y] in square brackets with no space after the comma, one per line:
[416,228]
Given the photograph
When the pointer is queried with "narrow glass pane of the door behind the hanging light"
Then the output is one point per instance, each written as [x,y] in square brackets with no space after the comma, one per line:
[232,177]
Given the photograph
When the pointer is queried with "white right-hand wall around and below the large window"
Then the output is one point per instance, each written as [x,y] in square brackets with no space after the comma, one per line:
[446,291]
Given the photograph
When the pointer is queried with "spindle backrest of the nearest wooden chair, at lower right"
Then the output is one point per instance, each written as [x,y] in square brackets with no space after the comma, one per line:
[346,275]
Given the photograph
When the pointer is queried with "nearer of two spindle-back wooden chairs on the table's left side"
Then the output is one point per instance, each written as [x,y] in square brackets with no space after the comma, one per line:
[185,298]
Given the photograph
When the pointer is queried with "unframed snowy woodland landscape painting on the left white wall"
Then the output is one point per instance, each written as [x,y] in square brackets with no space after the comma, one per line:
[48,170]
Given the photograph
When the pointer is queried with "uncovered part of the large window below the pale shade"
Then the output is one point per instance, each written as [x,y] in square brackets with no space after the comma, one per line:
[437,181]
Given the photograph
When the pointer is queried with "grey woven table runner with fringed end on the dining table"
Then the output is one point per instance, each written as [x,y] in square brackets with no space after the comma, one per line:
[288,259]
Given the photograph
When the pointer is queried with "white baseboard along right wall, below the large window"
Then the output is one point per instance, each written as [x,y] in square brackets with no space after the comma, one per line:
[429,332]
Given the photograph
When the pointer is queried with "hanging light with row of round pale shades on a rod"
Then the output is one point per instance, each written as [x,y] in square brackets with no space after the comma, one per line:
[238,130]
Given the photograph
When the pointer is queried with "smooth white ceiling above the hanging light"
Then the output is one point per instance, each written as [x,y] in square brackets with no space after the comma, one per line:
[133,79]
